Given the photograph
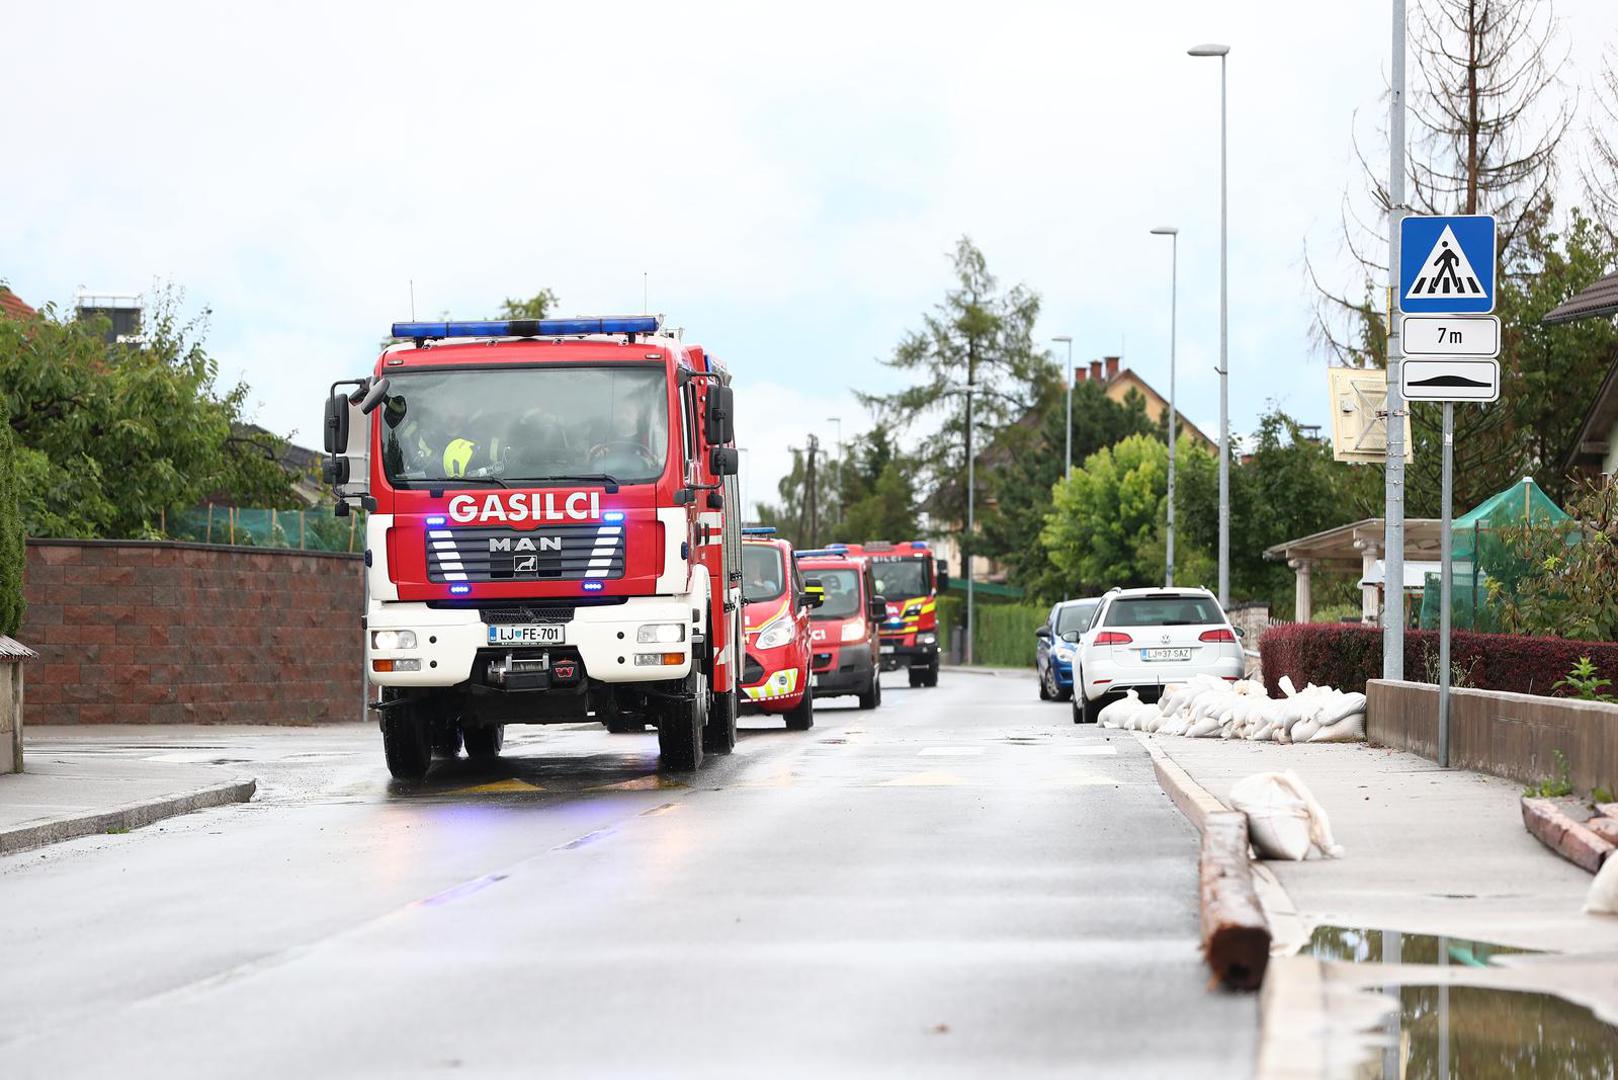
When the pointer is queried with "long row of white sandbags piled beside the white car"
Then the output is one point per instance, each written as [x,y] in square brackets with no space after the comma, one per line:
[1213,708]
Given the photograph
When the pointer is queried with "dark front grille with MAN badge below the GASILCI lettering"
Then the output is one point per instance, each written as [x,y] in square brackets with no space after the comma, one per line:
[557,553]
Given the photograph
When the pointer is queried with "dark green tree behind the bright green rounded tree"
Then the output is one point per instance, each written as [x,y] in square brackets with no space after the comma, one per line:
[1028,461]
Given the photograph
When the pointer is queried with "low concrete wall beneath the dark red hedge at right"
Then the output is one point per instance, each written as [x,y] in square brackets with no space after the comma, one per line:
[1515,736]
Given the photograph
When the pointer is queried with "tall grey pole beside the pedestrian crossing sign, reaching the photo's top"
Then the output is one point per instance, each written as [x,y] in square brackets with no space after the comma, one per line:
[1394,483]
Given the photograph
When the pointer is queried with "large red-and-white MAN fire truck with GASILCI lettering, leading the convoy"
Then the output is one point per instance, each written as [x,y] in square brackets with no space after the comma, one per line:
[553,534]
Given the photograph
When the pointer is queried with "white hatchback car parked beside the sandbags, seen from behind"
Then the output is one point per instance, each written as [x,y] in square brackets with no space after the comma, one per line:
[1145,639]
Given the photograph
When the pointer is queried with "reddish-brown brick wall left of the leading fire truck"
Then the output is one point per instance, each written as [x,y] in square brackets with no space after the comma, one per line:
[192,634]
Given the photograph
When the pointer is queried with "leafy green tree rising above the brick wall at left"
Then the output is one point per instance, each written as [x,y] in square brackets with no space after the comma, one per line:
[111,438]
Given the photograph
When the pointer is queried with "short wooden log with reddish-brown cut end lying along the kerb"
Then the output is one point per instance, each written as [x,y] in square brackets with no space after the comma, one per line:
[1235,935]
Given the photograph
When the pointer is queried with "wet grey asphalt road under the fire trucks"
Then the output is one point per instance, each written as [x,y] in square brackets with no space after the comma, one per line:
[959,883]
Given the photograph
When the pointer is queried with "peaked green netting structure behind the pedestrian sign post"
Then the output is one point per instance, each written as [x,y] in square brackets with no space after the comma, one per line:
[1483,556]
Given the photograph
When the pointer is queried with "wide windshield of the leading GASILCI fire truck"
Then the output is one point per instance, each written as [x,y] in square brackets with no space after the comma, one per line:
[525,425]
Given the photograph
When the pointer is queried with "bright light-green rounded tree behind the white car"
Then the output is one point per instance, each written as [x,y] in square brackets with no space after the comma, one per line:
[1108,519]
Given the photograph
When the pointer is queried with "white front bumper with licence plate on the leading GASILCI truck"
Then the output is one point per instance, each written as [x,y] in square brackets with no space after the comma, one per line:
[646,639]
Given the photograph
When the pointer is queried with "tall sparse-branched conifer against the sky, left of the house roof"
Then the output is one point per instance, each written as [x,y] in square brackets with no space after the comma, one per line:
[980,338]
